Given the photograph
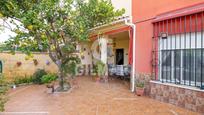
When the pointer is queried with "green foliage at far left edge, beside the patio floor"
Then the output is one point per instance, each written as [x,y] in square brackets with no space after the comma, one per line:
[3,90]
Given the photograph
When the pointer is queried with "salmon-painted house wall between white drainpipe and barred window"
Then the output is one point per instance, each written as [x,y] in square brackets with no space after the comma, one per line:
[143,12]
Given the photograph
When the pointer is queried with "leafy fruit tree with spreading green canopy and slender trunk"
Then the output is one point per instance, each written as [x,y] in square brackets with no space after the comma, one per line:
[55,26]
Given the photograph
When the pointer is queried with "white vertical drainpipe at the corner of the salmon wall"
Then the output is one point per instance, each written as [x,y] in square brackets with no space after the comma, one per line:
[134,54]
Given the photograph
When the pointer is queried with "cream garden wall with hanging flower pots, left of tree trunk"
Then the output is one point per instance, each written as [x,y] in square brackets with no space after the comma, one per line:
[19,66]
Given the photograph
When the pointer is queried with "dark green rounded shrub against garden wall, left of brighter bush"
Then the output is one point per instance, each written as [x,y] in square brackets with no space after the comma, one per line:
[38,75]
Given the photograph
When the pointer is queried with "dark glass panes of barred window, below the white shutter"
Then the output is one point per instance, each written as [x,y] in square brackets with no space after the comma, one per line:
[182,66]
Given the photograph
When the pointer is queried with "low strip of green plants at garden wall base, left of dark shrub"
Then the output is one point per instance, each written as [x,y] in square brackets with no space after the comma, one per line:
[22,80]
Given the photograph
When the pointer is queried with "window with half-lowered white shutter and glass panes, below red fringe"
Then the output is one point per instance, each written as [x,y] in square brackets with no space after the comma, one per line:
[181,59]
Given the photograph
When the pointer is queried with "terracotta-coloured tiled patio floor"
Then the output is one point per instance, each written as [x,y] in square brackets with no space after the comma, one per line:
[90,98]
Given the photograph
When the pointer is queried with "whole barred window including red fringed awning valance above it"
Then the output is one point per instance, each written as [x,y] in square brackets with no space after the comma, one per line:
[178,55]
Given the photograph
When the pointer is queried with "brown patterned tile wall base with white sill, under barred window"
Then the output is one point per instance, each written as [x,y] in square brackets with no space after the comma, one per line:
[189,98]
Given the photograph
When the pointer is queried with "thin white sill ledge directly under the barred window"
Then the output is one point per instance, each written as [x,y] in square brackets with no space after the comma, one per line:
[179,86]
